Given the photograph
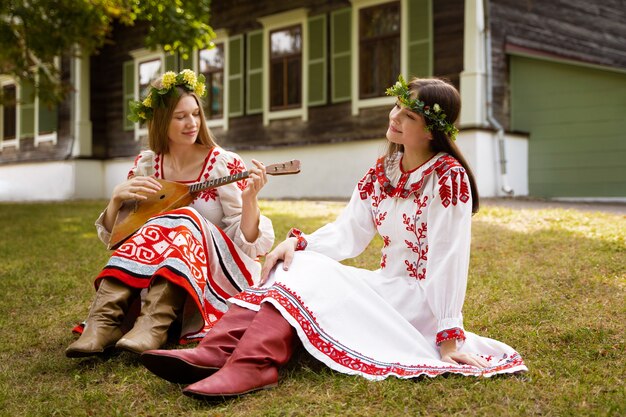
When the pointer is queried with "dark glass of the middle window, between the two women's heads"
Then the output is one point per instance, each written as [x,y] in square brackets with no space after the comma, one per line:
[286,68]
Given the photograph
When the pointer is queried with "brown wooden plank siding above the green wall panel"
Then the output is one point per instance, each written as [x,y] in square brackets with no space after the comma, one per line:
[592,32]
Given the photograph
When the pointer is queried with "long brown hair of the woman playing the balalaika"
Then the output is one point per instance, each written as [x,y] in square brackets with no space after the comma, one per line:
[158,141]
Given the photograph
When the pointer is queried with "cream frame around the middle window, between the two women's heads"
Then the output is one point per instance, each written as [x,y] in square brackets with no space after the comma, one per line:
[270,24]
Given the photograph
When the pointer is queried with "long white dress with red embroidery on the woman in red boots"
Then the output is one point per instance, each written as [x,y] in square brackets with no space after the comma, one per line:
[391,320]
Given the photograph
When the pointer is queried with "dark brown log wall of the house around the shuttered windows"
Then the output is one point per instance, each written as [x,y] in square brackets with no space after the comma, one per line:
[328,123]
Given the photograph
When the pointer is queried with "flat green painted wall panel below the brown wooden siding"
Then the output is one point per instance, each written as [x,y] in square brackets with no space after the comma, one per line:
[576,117]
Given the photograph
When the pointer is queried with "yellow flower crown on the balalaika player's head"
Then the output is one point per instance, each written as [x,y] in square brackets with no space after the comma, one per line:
[140,111]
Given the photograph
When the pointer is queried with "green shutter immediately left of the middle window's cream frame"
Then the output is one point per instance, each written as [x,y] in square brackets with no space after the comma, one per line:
[254,76]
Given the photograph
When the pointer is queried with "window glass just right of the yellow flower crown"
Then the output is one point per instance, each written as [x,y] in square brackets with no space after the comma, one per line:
[211,63]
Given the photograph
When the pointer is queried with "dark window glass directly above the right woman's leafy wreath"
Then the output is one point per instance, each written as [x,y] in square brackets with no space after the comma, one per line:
[379,48]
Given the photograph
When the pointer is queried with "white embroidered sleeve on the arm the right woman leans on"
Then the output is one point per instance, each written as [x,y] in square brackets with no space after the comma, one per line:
[449,226]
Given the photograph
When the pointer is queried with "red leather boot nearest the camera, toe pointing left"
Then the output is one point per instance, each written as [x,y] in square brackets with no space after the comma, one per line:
[268,343]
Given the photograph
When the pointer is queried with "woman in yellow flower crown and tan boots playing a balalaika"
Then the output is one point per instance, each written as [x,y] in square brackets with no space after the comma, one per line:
[188,261]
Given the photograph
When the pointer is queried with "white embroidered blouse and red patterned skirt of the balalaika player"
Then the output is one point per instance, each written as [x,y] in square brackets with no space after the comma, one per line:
[199,247]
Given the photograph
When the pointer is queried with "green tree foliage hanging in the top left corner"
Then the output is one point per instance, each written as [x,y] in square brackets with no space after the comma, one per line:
[35,32]
